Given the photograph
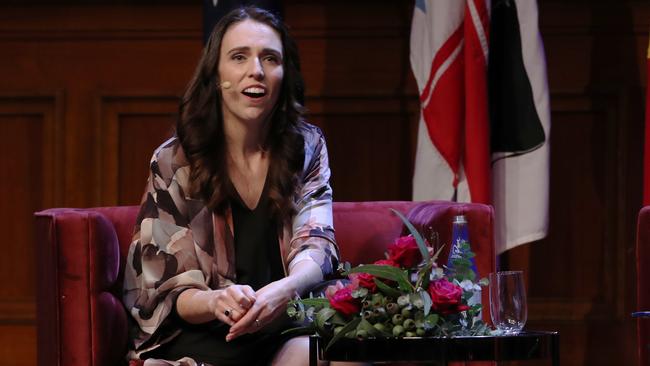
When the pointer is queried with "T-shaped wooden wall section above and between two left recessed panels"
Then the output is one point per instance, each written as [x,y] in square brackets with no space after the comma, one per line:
[87,50]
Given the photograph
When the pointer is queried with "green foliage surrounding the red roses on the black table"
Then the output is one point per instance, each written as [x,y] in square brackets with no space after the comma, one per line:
[401,306]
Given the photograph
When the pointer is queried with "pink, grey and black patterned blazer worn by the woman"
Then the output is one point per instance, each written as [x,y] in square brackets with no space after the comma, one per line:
[179,243]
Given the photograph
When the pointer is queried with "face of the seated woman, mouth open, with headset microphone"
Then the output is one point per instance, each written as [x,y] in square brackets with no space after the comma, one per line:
[250,60]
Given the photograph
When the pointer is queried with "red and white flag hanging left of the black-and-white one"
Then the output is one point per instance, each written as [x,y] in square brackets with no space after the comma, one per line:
[449,46]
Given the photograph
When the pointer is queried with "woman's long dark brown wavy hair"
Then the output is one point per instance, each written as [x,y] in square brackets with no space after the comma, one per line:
[200,124]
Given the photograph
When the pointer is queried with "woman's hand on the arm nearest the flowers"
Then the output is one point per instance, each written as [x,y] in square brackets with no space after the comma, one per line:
[271,301]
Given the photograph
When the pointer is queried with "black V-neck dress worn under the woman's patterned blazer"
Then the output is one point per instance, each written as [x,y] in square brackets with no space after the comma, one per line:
[258,262]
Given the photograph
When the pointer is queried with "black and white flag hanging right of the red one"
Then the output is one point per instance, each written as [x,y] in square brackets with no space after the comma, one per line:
[520,123]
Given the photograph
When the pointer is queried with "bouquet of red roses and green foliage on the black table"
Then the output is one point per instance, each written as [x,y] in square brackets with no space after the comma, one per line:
[405,295]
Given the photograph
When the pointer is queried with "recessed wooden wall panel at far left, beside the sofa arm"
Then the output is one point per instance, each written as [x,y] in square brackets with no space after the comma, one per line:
[31,180]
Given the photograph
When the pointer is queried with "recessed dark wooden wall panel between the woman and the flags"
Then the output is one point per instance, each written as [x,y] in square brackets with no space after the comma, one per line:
[368,141]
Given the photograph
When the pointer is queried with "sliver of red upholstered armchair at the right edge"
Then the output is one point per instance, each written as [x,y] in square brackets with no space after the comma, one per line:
[643,284]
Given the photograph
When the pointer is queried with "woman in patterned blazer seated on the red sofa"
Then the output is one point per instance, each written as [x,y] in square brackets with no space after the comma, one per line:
[237,217]
